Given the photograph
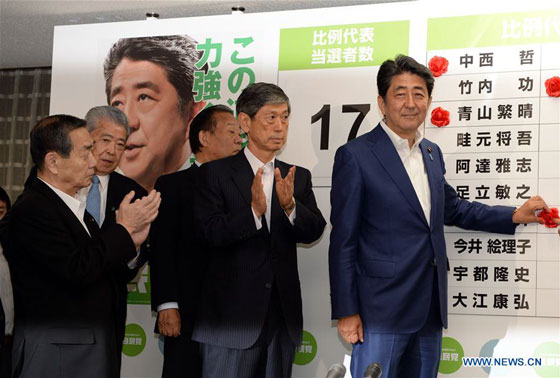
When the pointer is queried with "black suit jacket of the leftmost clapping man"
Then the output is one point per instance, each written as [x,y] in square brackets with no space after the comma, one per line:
[63,291]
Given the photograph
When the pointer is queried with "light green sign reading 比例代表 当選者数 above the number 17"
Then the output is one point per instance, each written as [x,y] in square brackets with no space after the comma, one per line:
[335,46]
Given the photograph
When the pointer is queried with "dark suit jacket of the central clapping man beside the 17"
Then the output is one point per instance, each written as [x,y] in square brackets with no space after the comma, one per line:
[245,263]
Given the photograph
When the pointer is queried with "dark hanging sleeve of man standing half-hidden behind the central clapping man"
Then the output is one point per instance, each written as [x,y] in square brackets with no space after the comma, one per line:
[163,239]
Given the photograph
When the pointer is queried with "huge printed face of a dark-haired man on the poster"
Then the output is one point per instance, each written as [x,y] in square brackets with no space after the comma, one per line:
[151,80]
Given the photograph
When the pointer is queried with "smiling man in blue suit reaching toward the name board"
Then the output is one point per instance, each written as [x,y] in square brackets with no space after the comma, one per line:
[387,259]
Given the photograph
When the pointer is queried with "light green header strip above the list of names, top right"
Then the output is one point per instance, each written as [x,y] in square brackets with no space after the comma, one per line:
[494,30]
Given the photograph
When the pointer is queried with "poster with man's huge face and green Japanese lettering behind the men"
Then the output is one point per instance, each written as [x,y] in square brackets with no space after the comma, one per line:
[160,83]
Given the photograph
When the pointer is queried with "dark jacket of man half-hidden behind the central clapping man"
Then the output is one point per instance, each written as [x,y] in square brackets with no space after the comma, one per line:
[178,262]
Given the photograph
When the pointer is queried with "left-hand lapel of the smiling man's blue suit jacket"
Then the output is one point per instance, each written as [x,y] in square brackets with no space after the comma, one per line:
[385,152]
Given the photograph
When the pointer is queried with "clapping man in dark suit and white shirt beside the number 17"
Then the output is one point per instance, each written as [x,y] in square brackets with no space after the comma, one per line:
[252,209]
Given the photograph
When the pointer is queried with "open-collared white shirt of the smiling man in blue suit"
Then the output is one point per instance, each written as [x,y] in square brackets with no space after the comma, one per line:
[414,165]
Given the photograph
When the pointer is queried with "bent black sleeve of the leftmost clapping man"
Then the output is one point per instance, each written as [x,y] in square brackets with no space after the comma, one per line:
[43,233]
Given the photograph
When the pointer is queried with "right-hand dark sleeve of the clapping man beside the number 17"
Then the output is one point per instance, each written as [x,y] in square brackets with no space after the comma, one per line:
[309,222]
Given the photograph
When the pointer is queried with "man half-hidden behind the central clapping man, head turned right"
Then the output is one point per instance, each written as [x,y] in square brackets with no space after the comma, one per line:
[178,263]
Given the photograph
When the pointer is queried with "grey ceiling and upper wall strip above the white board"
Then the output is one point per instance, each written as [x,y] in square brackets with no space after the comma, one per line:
[26,27]
